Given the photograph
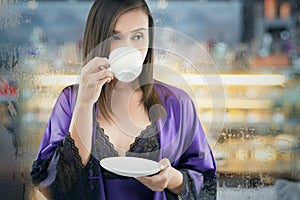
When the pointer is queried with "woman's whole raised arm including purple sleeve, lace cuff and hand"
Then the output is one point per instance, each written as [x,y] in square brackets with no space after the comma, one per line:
[66,144]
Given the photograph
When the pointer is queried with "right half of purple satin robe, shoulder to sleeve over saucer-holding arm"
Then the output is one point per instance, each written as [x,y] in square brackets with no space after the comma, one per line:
[185,144]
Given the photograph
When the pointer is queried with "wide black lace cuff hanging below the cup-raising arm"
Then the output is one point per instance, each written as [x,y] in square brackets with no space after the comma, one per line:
[62,175]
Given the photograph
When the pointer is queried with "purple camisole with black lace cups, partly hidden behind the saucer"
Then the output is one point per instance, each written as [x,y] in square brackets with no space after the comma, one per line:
[146,145]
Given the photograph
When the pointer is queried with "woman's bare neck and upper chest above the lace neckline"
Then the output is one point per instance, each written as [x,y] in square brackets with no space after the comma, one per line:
[129,119]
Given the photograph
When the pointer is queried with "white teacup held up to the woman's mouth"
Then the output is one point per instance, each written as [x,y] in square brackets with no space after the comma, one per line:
[126,63]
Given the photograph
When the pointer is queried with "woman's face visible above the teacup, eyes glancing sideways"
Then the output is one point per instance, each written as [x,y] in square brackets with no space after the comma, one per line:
[131,30]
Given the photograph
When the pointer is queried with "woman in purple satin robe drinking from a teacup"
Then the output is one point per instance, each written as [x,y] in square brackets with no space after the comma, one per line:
[102,117]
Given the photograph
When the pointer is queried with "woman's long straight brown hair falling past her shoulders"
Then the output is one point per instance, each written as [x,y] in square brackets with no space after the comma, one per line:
[99,27]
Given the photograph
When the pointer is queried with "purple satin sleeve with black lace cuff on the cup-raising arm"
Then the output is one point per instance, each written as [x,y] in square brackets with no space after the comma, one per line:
[58,169]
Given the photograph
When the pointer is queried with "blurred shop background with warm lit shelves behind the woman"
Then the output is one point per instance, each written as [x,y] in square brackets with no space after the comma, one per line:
[238,59]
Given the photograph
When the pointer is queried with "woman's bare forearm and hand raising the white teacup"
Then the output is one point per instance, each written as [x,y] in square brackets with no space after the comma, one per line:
[93,76]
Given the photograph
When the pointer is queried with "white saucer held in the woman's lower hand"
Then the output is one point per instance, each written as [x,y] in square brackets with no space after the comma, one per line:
[130,166]
